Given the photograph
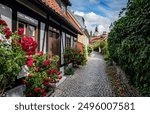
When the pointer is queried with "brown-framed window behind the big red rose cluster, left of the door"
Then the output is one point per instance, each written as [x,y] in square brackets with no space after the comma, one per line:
[29,30]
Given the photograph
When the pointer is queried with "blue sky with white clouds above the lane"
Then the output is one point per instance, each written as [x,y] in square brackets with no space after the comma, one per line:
[100,13]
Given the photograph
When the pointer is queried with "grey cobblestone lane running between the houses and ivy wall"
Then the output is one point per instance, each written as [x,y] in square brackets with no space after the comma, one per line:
[88,81]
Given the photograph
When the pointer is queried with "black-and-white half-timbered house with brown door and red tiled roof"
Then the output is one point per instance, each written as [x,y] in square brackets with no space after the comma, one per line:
[45,21]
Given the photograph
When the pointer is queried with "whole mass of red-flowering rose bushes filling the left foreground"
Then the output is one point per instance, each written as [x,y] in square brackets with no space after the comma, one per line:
[16,50]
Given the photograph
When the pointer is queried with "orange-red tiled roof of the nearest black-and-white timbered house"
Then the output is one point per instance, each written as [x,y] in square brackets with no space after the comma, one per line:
[55,6]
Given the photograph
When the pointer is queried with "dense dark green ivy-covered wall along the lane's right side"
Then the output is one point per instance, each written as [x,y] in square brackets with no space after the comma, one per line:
[129,44]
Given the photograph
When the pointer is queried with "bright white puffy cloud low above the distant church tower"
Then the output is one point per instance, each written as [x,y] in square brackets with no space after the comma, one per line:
[92,20]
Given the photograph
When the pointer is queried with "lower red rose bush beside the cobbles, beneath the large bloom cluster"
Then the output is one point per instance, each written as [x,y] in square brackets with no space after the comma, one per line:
[43,74]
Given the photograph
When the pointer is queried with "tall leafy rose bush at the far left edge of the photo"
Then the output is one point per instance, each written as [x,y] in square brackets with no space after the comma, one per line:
[12,57]
